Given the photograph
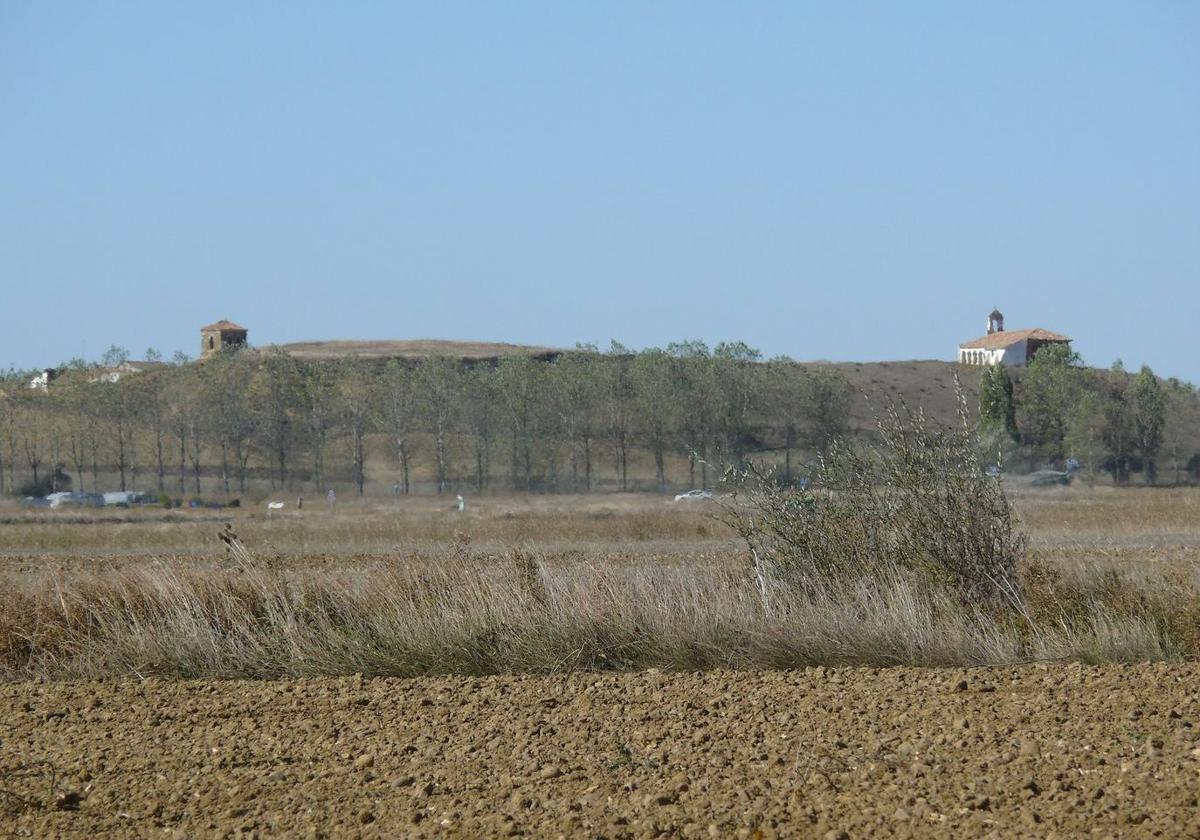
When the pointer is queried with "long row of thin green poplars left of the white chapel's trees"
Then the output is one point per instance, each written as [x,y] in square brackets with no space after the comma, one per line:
[571,424]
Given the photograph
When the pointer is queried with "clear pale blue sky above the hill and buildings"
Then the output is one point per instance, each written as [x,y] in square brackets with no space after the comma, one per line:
[830,182]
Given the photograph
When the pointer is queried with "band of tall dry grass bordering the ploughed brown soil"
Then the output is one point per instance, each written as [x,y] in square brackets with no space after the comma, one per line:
[477,614]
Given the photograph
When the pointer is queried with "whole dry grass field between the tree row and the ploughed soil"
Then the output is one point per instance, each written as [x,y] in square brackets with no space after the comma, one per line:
[550,584]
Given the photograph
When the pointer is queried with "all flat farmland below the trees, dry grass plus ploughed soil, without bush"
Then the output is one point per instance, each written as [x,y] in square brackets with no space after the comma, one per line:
[586,667]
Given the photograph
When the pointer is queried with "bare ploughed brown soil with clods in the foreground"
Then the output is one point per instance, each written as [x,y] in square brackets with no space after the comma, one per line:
[1034,752]
